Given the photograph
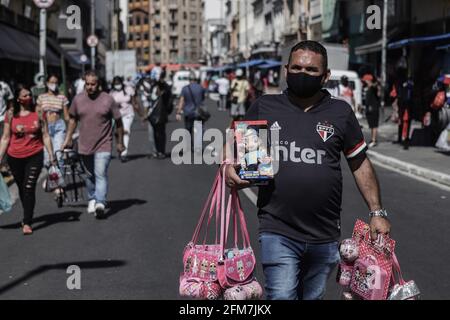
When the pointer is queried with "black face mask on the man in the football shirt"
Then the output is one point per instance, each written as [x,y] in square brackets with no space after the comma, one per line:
[304,85]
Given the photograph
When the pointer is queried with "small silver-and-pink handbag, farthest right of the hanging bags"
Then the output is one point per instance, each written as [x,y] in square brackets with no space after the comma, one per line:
[401,289]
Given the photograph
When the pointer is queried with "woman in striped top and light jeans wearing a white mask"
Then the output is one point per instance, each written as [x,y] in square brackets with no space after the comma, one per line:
[54,107]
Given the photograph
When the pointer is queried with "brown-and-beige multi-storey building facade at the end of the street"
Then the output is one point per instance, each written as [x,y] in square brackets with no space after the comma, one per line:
[165,31]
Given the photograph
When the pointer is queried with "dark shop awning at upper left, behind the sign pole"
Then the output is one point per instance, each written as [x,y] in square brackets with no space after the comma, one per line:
[20,46]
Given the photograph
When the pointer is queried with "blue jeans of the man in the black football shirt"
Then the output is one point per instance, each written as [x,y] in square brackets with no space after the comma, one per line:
[296,270]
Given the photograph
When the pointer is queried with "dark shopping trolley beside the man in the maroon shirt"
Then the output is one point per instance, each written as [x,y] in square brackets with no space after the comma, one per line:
[74,174]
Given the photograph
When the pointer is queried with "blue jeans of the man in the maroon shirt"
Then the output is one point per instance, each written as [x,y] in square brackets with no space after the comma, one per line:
[97,175]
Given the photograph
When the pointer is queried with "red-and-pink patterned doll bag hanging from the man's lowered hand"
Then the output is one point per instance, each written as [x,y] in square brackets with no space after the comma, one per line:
[372,271]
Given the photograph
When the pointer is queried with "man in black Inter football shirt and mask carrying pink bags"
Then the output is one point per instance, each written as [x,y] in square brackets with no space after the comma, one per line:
[299,211]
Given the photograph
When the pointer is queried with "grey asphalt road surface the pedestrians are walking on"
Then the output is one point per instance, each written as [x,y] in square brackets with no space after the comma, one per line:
[154,206]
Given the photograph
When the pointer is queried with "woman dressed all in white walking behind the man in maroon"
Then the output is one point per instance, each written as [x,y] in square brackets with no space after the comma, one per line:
[125,98]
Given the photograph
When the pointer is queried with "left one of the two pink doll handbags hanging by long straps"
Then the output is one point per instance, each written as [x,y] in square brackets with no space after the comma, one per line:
[199,276]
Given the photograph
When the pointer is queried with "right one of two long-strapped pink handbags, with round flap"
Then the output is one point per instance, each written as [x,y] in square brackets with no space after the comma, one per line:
[236,266]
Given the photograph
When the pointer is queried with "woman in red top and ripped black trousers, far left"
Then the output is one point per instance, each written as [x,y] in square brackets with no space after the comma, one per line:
[24,136]
